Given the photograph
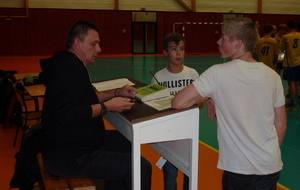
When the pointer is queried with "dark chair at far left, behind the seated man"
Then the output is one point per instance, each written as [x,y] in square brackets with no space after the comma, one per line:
[29,118]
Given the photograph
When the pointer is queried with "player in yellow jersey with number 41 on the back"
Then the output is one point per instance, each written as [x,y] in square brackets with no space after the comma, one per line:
[267,48]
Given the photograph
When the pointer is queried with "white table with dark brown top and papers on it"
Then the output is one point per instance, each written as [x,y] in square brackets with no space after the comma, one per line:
[172,133]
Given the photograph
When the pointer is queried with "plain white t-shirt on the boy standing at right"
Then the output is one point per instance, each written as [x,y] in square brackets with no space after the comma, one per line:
[245,96]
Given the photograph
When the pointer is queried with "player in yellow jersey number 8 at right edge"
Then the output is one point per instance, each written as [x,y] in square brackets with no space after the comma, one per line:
[291,44]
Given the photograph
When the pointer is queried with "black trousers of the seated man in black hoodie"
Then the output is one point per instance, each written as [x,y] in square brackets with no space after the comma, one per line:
[111,163]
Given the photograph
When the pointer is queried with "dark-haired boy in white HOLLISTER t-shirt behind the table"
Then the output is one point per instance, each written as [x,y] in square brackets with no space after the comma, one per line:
[175,76]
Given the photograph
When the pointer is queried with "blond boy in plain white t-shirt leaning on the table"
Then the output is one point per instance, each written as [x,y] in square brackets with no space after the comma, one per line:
[249,103]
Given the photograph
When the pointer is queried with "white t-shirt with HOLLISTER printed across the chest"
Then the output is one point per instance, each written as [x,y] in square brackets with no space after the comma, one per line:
[175,81]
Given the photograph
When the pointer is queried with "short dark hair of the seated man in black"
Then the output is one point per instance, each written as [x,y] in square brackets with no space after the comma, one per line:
[79,30]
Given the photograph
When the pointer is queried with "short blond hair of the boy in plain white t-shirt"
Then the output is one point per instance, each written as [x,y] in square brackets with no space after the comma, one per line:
[241,29]
